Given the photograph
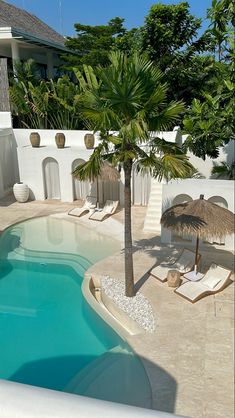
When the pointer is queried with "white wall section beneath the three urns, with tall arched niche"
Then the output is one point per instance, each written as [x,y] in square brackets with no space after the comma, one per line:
[33,161]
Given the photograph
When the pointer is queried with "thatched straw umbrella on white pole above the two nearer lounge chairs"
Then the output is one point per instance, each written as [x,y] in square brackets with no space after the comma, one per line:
[200,218]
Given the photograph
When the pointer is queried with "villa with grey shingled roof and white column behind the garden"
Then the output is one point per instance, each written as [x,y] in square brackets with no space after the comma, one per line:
[24,36]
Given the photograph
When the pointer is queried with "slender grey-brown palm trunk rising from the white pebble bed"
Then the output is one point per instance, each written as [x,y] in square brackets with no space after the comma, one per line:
[129,275]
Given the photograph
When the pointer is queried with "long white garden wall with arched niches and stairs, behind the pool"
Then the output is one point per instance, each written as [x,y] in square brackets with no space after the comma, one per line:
[47,172]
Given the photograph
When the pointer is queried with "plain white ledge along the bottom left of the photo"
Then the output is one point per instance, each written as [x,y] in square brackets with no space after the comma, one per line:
[23,401]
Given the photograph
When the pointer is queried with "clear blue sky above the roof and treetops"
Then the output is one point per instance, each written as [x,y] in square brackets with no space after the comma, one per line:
[62,14]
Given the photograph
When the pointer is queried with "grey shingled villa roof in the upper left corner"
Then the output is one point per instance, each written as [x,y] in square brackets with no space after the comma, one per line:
[22,21]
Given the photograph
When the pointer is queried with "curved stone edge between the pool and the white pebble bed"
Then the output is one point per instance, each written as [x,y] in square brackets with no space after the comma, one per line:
[89,292]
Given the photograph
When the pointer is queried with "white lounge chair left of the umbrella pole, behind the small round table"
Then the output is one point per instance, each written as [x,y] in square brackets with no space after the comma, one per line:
[183,264]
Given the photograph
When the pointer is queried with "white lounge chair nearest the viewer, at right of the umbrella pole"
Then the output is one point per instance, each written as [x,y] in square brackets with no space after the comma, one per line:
[215,280]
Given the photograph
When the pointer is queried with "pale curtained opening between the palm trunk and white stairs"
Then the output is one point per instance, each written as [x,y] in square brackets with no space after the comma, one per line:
[141,186]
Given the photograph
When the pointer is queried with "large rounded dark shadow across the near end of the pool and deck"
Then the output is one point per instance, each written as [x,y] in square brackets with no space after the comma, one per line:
[114,376]
